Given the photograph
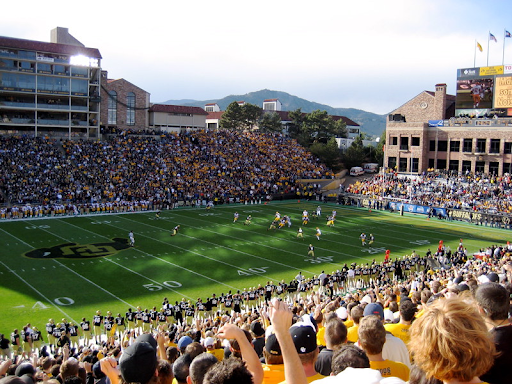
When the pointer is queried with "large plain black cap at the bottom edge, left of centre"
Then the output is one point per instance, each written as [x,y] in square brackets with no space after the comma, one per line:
[138,362]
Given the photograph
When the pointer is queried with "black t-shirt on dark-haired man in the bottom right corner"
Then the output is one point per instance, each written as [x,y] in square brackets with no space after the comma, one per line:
[500,371]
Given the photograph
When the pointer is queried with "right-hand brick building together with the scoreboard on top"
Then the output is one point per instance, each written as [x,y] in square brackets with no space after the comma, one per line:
[468,132]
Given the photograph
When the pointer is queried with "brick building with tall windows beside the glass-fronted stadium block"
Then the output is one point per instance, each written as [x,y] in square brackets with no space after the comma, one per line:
[123,105]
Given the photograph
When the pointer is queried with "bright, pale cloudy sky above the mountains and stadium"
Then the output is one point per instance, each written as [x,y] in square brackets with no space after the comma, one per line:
[371,55]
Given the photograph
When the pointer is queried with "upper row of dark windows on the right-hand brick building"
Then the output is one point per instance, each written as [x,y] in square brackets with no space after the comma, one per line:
[480,145]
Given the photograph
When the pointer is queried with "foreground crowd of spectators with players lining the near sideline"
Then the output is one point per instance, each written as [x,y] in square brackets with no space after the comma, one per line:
[439,317]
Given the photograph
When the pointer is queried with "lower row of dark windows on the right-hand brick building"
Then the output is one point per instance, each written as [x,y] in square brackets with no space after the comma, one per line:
[411,165]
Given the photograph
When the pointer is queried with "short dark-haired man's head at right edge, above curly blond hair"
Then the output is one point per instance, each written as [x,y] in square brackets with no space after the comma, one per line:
[494,300]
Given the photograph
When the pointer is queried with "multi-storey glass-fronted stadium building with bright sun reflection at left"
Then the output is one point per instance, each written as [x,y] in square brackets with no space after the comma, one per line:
[50,88]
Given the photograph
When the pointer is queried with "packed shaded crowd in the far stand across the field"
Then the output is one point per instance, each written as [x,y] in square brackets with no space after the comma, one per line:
[54,177]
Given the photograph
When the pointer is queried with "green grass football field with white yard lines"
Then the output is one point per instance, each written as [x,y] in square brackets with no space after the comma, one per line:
[210,254]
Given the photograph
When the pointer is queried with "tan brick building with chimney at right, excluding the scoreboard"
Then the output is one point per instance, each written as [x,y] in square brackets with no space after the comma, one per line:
[423,134]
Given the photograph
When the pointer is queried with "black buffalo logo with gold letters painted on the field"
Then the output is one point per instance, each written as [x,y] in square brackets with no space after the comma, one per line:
[79,251]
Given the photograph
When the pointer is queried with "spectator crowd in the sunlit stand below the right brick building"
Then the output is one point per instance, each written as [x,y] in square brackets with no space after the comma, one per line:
[445,190]
